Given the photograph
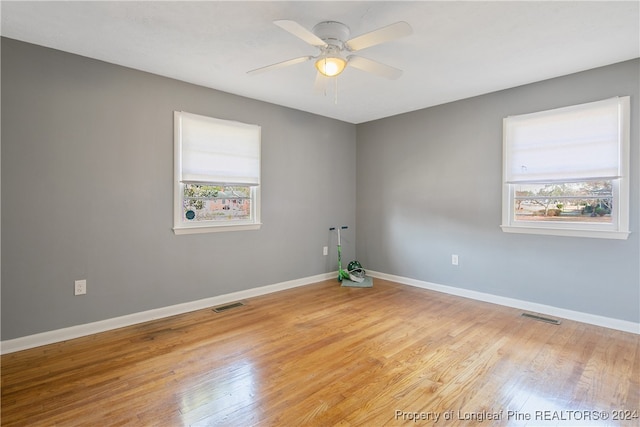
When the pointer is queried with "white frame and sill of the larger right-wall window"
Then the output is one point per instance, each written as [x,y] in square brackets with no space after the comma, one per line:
[619,226]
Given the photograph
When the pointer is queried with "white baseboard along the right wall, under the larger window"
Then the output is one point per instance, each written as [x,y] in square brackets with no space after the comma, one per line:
[607,322]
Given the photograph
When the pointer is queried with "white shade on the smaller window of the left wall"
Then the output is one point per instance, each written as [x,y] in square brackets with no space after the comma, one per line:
[218,151]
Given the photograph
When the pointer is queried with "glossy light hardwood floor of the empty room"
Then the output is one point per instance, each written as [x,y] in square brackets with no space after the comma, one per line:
[323,355]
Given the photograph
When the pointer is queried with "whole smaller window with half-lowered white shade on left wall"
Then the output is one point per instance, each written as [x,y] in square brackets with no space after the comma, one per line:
[216,175]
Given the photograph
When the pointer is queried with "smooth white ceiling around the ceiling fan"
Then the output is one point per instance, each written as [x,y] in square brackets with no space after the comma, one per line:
[457,50]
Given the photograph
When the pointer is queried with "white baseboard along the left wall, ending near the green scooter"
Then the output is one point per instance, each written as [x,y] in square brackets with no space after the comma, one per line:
[50,337]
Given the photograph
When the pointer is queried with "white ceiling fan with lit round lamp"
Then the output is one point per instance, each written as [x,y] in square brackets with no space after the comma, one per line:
[332,39]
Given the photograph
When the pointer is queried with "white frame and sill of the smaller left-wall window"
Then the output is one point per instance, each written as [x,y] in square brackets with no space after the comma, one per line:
[183,226]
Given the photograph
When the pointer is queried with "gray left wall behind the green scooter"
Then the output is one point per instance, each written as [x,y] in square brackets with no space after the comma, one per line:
[87,193]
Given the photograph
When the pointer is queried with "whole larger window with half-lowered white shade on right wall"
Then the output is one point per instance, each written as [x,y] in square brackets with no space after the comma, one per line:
[566,171]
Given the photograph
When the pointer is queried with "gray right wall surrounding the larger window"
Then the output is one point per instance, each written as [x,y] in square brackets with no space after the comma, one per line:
[429,186]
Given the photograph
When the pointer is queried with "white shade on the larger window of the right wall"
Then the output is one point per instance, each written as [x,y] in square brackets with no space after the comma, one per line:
[576,143]
